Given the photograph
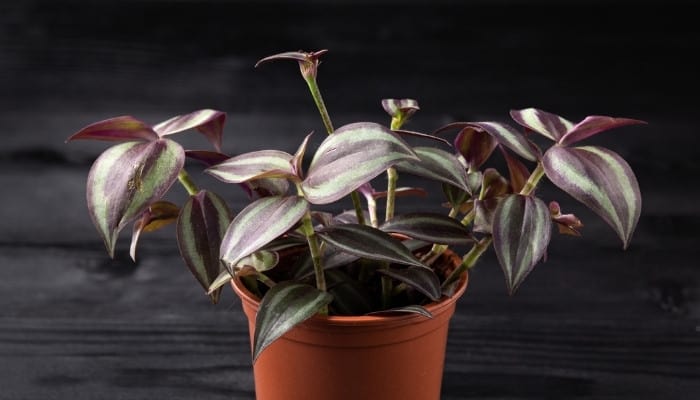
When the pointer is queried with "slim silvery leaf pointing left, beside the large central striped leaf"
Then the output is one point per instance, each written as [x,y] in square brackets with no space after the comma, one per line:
[253,165]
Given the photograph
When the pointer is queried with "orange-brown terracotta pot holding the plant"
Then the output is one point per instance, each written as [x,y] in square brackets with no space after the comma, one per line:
[355,357]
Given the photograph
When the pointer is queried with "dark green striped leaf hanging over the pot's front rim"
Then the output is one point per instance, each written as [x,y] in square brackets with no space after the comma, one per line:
[284,306]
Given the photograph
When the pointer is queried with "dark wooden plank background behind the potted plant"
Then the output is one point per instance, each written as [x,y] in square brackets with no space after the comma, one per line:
[593,322]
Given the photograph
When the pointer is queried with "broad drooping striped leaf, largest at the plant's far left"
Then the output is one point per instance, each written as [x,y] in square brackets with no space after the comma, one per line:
[126,179]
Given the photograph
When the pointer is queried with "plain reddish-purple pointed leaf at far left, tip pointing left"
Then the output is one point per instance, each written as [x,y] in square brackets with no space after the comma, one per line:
[118,129]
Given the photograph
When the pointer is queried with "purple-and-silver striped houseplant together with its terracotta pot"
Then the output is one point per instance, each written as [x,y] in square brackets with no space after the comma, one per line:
[301,271]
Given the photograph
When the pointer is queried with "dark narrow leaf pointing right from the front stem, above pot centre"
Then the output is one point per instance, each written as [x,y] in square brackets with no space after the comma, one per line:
[368,242]
